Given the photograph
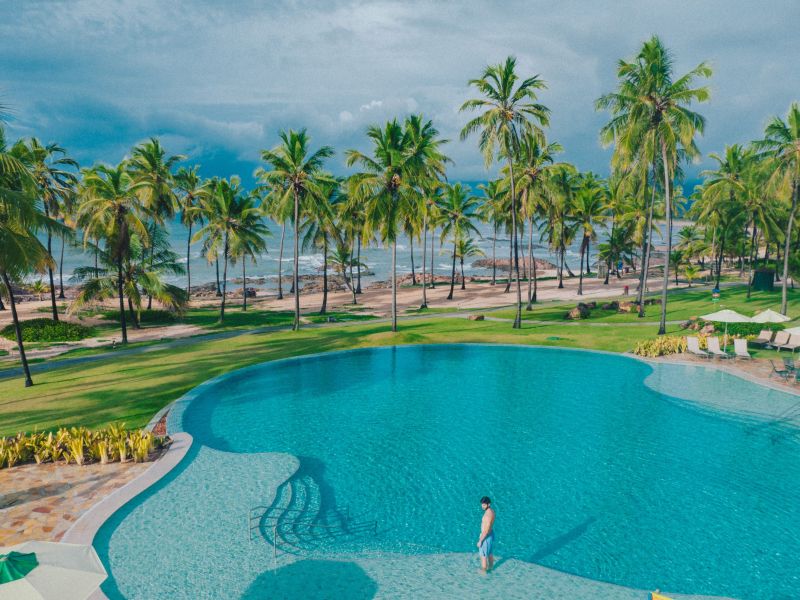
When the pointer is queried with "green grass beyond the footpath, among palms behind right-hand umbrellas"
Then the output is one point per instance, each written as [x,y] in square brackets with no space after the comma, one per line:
[681,306]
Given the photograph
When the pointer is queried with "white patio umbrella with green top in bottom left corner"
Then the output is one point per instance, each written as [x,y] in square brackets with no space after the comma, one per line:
[63,572]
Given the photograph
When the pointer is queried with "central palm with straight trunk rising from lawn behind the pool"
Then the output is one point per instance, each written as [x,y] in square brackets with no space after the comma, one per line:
[389,175]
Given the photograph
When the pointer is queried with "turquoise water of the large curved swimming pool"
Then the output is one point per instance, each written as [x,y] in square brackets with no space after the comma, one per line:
[387,451]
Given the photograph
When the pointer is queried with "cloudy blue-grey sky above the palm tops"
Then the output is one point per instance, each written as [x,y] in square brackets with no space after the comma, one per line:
[217,80]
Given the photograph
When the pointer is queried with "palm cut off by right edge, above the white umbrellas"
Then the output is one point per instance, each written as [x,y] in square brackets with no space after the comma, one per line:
[781,146]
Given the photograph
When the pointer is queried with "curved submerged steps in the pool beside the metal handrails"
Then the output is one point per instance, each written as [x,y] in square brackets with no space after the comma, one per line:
[295,522]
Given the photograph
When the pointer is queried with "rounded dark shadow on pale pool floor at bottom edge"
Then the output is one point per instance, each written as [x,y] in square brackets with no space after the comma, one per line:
[313,580]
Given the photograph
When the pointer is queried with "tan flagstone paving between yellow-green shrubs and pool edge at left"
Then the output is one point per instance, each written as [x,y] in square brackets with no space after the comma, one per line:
[41,502]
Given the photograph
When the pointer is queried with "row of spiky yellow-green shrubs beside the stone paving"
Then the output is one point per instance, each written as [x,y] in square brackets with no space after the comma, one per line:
[79,445]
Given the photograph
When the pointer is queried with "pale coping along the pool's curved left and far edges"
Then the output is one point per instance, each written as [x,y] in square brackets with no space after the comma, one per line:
[85,529]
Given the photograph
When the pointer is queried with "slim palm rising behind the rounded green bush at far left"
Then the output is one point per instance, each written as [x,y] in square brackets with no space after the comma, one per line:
[54,185]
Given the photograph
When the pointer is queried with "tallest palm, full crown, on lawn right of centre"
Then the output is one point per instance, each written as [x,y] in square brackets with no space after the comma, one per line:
[652,123]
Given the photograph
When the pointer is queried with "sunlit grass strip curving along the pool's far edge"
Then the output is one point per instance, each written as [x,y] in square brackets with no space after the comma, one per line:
[132,388]
